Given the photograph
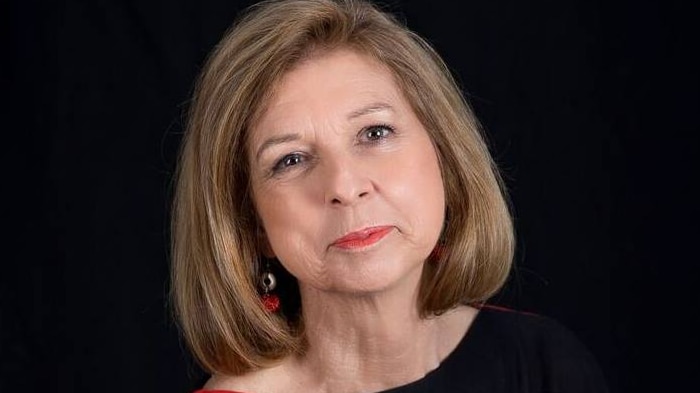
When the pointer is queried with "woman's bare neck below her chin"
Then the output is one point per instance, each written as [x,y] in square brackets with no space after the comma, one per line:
[369,341]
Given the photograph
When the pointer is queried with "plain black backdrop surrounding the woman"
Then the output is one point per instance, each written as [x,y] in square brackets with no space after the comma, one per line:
[590,108]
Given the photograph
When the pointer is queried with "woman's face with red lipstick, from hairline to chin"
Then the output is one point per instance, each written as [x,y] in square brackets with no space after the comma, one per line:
[345,178]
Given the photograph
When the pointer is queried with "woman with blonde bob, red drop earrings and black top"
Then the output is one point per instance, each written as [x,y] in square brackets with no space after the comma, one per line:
[339,221]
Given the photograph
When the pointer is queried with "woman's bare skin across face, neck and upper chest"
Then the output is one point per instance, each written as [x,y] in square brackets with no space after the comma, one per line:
[339,150]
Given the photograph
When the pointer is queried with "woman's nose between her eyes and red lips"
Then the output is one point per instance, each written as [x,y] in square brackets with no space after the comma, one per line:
[346,182]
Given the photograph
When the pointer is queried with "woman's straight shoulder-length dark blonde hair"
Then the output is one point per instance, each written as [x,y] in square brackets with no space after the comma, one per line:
[216,247]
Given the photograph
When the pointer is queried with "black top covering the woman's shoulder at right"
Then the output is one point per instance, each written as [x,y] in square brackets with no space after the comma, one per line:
[513,352]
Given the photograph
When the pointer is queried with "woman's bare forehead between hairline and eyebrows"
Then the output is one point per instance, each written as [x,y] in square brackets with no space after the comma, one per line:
[328,87]
